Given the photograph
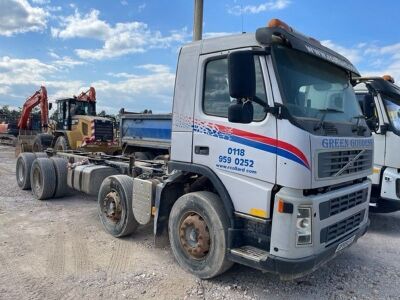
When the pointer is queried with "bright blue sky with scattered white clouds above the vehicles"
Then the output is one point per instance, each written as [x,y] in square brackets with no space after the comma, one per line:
[127,49]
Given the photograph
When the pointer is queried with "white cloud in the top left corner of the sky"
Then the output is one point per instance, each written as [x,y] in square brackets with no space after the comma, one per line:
[18,16]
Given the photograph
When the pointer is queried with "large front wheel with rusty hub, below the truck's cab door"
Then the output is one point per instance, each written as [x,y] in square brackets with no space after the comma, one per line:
[205,209]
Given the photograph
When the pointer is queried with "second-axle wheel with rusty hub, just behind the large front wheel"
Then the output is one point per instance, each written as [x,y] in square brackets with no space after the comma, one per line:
[116,191]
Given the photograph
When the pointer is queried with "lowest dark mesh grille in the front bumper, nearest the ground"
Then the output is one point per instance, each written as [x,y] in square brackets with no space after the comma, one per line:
[332,232]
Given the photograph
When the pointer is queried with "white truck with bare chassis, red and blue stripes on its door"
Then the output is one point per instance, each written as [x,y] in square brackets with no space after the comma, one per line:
[269,160]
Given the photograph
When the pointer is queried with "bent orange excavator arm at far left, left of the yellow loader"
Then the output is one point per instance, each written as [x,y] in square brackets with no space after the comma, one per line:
[38,98]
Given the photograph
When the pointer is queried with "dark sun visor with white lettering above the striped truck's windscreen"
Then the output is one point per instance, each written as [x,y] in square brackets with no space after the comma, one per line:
[273,35]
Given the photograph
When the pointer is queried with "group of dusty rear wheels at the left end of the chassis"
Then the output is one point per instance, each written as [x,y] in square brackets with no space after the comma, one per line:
[47,177]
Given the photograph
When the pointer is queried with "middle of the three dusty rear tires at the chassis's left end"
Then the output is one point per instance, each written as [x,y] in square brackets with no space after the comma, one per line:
[43,178]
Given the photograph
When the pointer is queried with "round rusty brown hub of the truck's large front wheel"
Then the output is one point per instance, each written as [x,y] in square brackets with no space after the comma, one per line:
[194,236]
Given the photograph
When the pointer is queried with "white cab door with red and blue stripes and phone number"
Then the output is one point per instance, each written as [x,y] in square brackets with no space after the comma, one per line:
[241,155]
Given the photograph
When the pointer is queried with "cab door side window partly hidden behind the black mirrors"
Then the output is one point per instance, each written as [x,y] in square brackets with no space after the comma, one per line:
[216,98]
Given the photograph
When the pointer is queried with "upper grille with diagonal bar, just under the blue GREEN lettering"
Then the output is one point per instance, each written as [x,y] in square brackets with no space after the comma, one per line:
[339,163]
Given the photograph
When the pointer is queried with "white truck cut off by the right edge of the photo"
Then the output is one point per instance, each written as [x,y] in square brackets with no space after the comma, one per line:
[379,99]
